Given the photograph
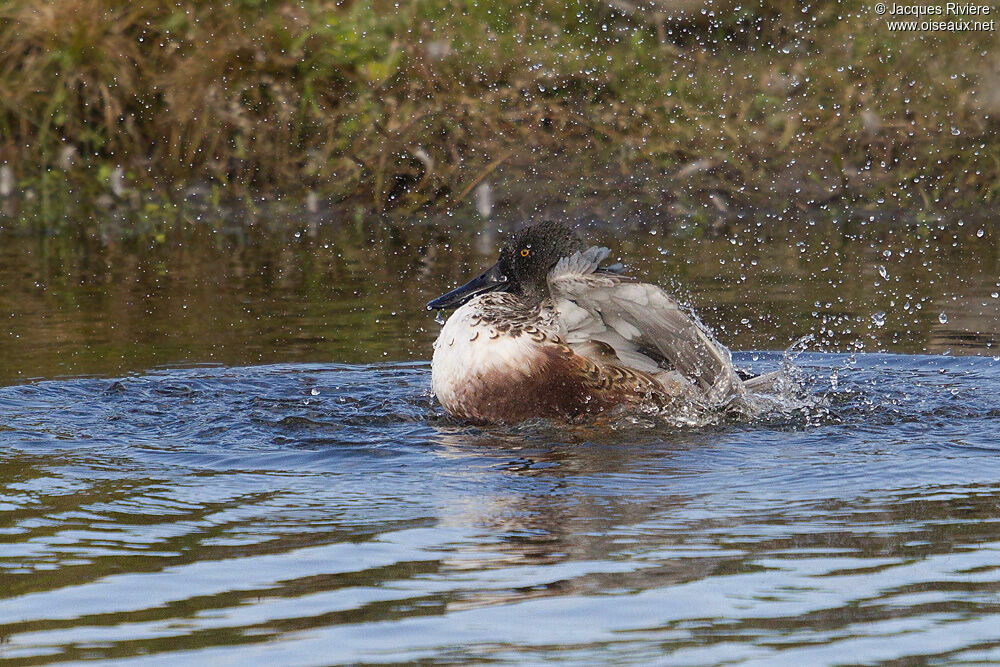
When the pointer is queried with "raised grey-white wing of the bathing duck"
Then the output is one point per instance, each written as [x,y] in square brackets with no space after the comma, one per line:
[647,328]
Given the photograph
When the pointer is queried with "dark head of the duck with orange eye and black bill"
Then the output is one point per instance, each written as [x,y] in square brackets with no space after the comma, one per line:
[526,258]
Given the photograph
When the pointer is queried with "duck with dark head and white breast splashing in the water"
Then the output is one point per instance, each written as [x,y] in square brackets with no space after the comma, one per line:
[552,331]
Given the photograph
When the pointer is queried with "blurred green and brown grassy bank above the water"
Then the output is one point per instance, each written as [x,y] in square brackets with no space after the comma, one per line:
[412,106]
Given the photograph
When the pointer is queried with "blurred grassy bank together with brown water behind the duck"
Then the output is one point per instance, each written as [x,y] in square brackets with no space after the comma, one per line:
[263,181]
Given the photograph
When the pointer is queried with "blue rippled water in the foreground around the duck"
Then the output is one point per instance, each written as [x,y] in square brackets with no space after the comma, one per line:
[328,513]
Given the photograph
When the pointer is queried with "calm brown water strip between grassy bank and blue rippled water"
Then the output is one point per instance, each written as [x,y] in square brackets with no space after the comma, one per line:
[205,292]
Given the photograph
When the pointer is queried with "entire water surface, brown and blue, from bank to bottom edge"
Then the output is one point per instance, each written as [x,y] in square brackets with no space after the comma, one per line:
[214,489]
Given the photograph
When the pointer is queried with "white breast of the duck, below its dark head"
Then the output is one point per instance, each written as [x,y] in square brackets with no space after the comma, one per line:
[469,355]
